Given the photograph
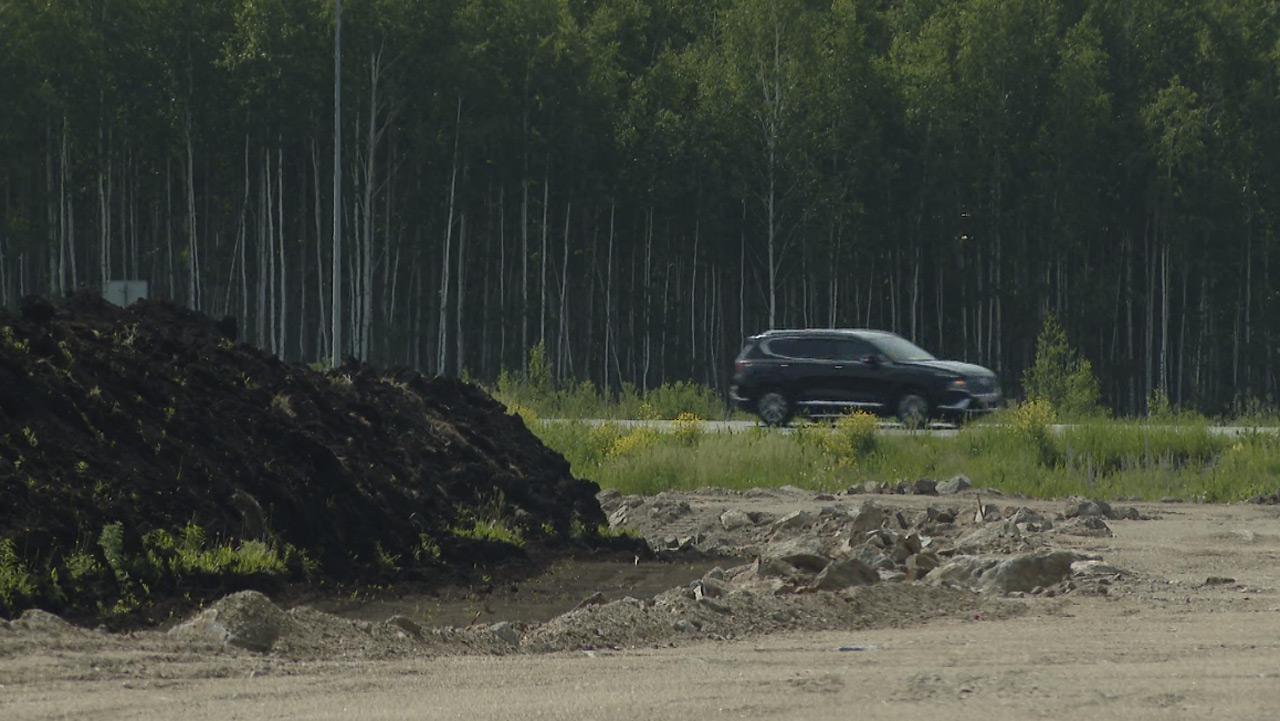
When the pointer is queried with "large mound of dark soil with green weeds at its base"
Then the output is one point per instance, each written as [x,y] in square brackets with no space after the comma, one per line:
[132,441]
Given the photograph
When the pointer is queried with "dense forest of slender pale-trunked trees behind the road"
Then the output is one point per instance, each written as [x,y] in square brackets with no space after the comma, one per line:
[634,186]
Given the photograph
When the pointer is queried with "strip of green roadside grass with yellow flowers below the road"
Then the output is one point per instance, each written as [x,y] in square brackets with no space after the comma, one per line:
[1020,454]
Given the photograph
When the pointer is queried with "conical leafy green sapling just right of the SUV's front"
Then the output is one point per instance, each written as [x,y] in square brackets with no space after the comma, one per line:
[1060,377]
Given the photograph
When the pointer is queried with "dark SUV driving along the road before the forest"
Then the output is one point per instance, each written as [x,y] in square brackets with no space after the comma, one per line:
[825,373]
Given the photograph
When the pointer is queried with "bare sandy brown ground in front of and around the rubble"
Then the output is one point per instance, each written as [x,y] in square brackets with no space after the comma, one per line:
[1154,642]
